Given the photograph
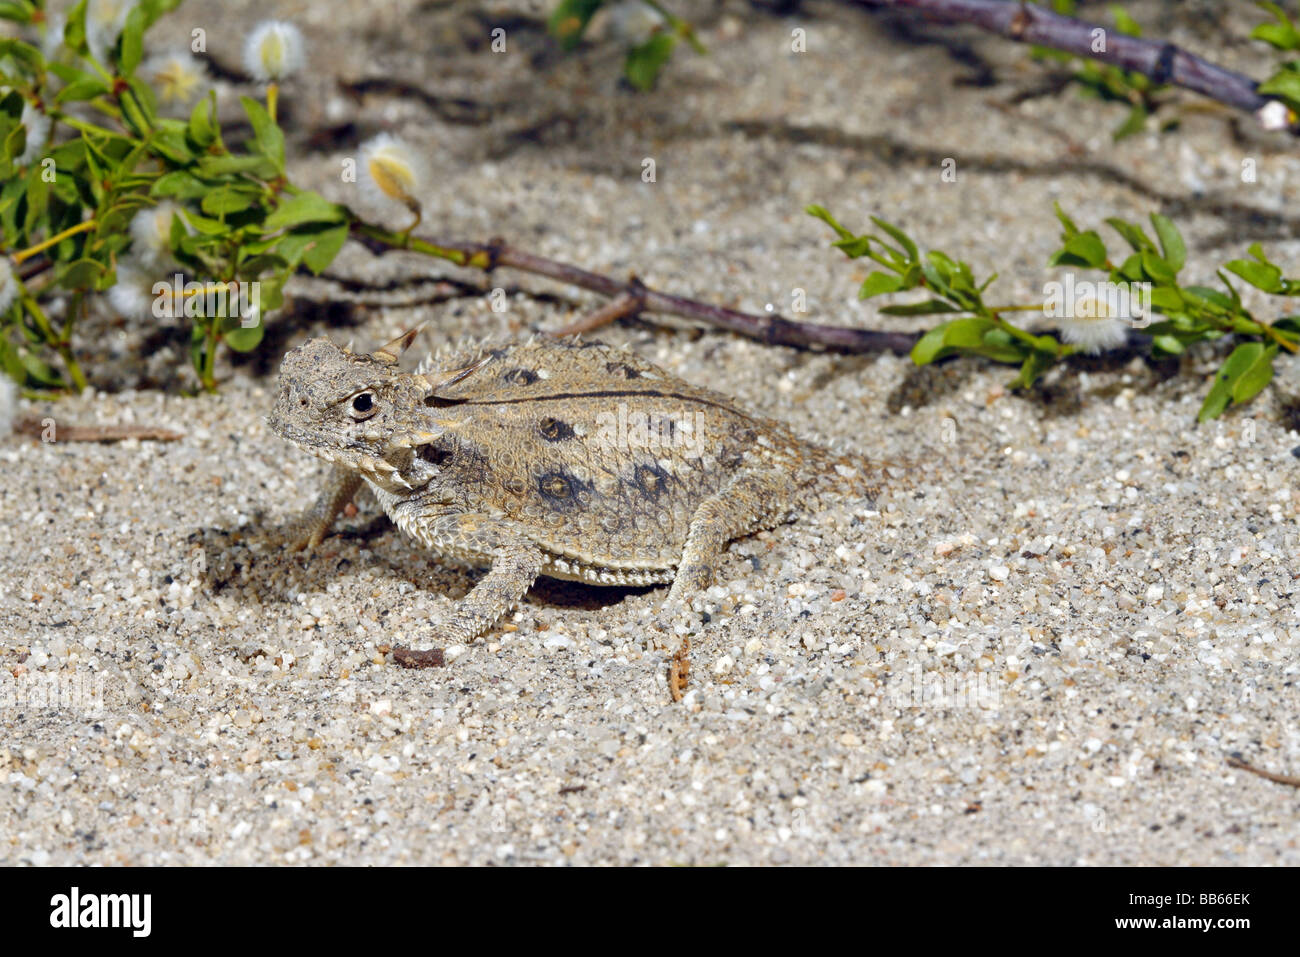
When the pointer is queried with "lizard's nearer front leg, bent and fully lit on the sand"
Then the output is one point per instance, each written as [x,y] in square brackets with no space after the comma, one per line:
[515,565]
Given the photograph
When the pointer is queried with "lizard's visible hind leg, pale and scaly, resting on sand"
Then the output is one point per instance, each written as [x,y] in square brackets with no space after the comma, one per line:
[748,504]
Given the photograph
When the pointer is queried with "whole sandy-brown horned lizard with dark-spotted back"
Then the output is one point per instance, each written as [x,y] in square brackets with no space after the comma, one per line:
[556,457]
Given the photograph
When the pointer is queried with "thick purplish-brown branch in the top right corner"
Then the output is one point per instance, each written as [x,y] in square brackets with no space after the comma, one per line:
[1163,63]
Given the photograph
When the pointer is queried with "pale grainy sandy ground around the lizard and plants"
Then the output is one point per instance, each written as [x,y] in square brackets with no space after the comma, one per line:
[1041,652]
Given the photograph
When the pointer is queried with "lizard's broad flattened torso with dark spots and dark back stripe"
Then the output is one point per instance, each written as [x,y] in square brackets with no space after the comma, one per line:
[600,457]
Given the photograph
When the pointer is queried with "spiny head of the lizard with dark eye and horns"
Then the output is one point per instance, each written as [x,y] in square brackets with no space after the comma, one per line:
[358,412]
